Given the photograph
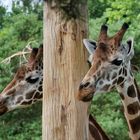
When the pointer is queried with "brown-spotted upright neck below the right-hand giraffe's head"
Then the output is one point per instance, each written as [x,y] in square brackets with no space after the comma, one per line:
[131,101]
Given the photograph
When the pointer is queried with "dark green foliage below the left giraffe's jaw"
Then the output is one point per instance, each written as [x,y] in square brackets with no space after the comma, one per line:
[24,124]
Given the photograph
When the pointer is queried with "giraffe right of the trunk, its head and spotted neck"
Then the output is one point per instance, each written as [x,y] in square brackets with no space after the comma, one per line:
[111,68]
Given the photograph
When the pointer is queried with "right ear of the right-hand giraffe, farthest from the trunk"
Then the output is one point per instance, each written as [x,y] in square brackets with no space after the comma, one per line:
[130,49]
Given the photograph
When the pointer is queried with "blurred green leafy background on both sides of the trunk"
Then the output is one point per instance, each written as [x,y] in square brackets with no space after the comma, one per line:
[23,23]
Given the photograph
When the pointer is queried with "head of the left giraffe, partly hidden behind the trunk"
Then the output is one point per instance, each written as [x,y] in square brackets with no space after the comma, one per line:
[26,86]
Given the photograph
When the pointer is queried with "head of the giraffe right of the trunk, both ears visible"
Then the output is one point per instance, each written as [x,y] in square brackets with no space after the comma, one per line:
[109,60]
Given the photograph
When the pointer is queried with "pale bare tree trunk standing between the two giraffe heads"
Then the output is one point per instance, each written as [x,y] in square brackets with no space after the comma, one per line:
[64,117]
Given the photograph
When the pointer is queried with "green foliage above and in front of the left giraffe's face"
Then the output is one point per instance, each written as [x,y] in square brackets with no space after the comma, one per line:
[18,30]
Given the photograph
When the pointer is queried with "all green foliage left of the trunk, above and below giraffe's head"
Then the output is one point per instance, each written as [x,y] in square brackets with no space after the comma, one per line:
[17,29]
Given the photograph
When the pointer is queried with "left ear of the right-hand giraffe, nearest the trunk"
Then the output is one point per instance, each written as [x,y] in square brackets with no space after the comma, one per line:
[90,45]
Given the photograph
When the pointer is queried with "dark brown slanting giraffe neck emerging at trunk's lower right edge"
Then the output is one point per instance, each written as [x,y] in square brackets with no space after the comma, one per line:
[95,131]
